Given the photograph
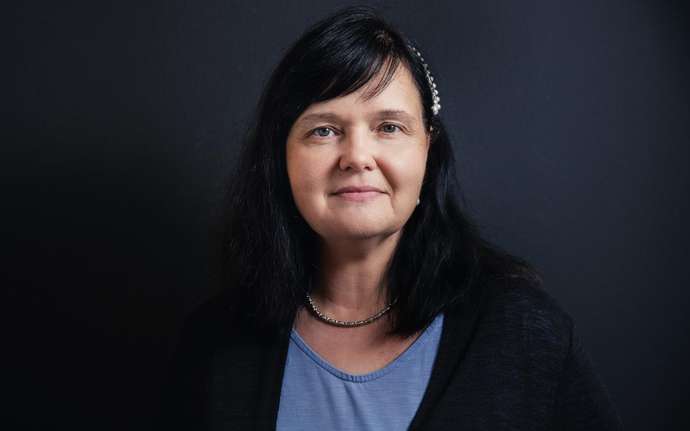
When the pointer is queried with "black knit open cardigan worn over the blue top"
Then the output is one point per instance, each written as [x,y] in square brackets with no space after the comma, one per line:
[509,359]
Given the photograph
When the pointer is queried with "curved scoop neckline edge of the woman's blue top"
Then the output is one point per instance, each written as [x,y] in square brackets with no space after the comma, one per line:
[360,378]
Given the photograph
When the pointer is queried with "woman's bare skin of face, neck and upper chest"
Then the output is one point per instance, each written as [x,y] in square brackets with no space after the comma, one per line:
[350,141]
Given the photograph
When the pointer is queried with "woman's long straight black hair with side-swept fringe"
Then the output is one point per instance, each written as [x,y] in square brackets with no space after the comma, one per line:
[269,251]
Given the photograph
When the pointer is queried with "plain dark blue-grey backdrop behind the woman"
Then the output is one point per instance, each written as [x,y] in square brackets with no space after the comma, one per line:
[570,122]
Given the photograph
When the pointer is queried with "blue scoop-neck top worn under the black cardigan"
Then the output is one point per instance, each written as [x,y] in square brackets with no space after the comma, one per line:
[317,396]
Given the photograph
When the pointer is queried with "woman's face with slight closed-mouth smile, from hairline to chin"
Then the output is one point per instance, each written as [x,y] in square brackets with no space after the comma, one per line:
[356,167]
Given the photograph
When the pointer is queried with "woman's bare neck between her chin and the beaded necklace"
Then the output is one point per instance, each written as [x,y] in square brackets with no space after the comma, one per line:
[352,281]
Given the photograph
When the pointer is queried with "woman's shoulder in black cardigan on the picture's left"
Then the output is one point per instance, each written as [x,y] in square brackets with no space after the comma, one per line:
[218,365]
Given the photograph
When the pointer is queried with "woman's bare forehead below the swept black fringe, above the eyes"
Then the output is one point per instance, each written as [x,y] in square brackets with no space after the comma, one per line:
[400,94]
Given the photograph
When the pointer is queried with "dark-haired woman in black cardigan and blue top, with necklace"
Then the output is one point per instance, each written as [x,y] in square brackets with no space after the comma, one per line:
[357,294]
